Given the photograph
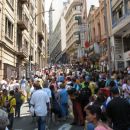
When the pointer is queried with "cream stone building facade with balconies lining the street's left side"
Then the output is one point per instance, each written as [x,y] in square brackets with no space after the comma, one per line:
[21,37]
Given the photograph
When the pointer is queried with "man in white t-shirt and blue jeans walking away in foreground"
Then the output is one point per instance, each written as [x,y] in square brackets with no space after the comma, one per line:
[40,102]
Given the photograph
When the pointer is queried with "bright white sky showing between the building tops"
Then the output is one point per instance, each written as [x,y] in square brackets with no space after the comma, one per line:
[58,6]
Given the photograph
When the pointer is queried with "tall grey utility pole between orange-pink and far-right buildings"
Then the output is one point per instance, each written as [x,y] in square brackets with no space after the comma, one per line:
[108,38]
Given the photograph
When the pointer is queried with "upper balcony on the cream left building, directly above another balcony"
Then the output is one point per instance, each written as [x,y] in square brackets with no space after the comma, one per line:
[22,22]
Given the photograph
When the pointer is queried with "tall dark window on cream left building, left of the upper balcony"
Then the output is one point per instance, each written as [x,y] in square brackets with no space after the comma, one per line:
[8,28]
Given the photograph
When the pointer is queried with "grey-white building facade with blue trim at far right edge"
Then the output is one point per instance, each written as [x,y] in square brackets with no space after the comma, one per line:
[120,12]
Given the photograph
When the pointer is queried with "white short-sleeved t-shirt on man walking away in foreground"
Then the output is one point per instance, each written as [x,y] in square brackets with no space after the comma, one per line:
[40,99]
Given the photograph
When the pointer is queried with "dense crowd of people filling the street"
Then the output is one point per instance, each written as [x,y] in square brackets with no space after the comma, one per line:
[99,101]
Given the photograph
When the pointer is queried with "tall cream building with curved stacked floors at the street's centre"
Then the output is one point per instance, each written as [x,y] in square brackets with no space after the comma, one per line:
[73,12]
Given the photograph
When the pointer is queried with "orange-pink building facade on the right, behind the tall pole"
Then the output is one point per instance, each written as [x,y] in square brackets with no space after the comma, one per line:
[97,48]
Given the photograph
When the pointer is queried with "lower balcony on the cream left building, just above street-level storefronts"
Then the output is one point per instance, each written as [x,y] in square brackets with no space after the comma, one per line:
[22,52]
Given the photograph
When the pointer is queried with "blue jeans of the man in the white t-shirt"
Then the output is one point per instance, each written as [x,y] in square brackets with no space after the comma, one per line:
[41,122]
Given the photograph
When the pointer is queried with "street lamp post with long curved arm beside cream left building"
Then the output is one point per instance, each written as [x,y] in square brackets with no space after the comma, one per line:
[30,56]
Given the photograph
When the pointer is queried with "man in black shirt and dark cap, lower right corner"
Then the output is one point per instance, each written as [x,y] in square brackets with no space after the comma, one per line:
[118,110]
